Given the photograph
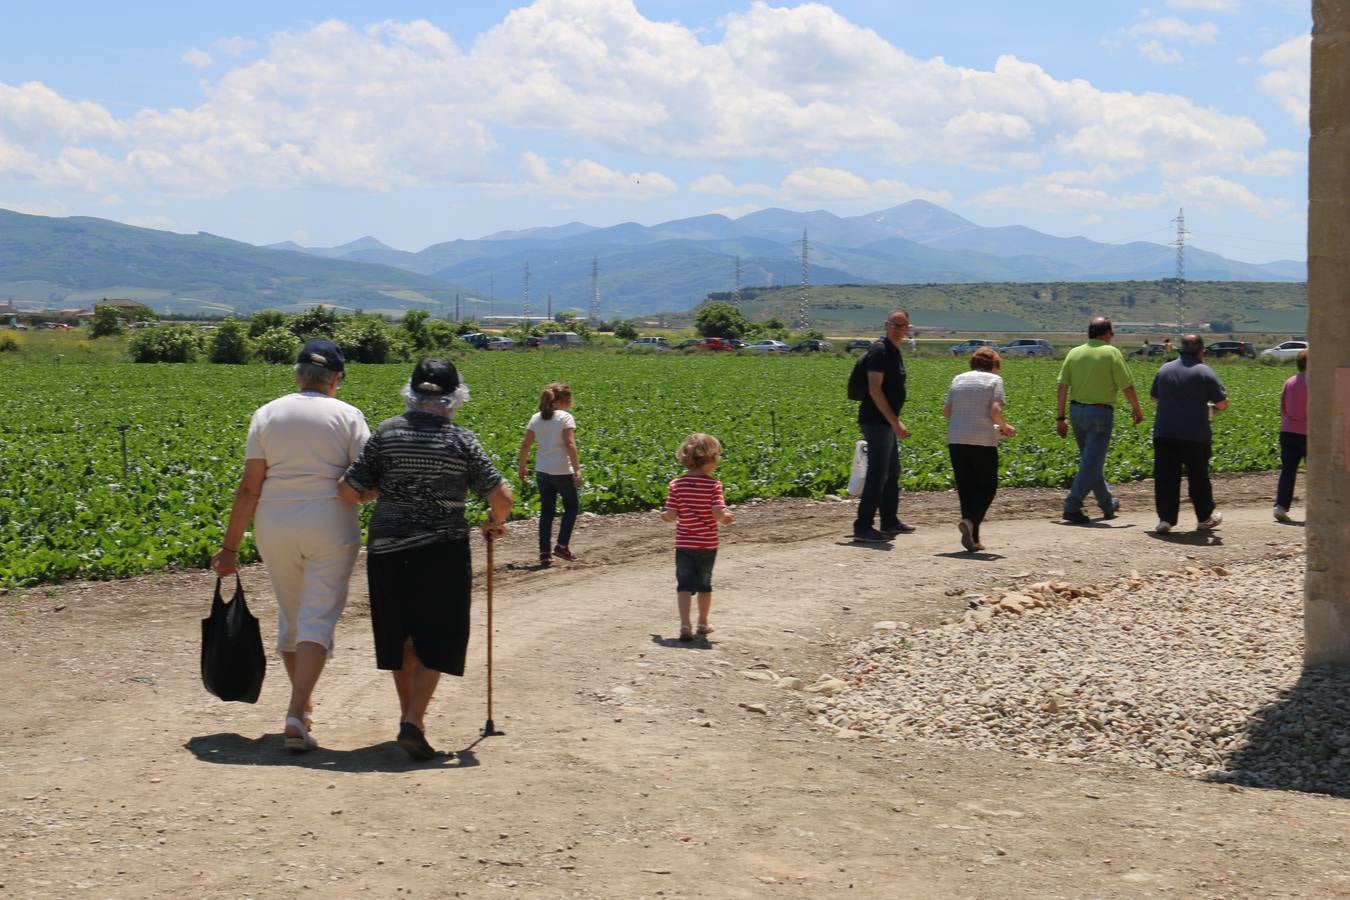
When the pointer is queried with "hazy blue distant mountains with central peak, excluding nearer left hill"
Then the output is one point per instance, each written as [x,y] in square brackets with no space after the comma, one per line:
[674,265]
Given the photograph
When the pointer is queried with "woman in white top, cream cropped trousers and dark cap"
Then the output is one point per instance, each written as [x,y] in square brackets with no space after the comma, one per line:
[299,447]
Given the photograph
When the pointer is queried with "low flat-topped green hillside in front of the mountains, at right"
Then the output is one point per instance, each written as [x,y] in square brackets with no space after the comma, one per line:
[1002,307]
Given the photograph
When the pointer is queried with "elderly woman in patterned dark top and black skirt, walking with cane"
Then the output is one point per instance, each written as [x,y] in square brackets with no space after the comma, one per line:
[422,466]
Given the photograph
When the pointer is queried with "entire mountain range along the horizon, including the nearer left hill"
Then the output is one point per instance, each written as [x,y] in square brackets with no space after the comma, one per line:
[670,266]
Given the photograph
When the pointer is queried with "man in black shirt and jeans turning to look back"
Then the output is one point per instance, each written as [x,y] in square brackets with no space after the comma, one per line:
[878,419]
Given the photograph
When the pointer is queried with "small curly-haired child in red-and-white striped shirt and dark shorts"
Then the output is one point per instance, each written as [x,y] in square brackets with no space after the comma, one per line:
[696,505]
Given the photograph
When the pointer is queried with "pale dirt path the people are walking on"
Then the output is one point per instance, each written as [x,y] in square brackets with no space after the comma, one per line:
[631,767]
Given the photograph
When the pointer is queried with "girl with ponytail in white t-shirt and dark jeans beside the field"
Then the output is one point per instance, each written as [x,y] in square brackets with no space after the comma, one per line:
[557,470]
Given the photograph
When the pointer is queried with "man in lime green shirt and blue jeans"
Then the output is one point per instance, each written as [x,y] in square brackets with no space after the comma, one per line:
[1090,380]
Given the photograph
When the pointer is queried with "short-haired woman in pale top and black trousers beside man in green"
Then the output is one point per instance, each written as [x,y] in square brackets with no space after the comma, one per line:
[975,426]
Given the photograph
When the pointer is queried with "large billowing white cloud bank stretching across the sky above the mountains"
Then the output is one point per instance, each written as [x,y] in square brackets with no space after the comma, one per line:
[399,105]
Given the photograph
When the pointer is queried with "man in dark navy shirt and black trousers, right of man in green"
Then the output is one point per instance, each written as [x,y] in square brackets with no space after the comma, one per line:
[1186,392]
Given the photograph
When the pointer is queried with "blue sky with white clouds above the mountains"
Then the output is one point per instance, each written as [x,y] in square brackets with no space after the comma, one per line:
[325,122]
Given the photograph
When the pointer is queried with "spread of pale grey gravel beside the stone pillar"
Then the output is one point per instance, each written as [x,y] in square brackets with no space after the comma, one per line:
[1195,673]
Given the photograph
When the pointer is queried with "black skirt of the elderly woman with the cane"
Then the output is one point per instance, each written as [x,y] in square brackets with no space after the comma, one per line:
[423,594]
